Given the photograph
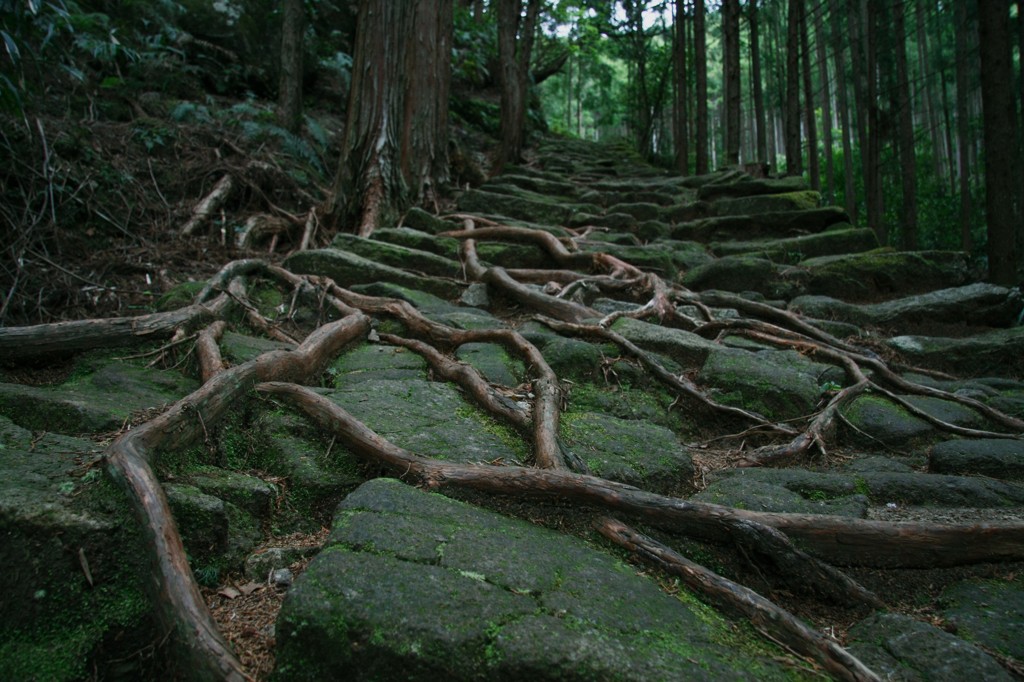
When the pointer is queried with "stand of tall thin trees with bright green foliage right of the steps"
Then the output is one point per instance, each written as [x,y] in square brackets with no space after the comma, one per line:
[887,108]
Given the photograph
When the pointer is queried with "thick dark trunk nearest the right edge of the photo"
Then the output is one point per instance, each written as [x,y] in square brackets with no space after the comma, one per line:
[1000,126]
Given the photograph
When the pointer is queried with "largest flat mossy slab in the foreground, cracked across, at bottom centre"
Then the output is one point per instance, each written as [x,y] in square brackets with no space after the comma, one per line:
[415,586]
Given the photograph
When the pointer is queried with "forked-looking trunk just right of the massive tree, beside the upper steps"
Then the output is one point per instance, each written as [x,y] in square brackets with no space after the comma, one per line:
[516,45]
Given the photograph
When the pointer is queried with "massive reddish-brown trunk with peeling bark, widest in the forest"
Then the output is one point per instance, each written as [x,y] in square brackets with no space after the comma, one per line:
[391,157]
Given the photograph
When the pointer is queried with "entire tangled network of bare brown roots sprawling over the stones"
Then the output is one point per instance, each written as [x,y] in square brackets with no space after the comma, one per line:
[795,545]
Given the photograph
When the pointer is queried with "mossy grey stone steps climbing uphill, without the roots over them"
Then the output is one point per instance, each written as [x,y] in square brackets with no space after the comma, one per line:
[414,586]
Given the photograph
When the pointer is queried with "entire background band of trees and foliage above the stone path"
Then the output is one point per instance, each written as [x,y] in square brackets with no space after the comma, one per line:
[909,114]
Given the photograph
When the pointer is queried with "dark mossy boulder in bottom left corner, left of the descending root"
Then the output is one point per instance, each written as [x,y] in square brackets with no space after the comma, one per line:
[59,514]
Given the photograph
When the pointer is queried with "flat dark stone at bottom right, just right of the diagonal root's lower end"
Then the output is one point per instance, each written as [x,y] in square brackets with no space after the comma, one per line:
[898,648]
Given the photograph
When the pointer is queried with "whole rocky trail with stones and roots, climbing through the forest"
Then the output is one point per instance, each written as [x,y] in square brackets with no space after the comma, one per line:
[687,429]
